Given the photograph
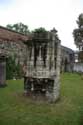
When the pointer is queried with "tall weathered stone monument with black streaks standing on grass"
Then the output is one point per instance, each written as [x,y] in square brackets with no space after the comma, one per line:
[43,65]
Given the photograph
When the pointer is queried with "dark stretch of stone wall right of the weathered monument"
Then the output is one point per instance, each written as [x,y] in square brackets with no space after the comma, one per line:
[67,59]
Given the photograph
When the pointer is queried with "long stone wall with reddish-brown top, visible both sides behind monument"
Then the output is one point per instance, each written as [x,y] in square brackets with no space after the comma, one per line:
[11,43]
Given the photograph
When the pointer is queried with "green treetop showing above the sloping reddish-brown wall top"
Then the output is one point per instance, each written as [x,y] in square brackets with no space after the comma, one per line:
[19,27]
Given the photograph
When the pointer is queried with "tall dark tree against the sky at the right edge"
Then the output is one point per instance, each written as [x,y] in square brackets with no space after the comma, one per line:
[78,33]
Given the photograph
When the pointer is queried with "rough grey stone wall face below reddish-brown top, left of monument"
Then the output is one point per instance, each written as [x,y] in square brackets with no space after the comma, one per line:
[15,49]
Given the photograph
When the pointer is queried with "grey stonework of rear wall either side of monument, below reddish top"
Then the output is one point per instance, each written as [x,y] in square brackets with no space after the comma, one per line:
[19,49]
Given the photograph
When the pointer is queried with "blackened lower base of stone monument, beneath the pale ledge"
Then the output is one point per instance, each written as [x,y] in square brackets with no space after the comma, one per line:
[40,89]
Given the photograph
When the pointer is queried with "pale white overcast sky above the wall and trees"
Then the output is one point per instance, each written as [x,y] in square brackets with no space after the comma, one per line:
[61,14]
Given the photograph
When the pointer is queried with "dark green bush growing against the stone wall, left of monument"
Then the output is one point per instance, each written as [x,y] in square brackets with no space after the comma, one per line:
[13,70]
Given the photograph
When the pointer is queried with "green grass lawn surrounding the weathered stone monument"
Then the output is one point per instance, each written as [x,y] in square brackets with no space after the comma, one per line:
[15,109]
